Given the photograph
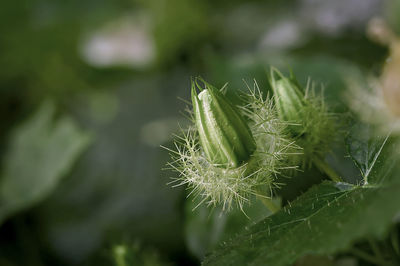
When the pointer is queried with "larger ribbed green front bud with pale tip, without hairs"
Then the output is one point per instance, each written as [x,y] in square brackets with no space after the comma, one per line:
[224,134]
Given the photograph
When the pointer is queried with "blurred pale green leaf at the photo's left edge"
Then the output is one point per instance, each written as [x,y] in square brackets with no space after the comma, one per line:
[40,153]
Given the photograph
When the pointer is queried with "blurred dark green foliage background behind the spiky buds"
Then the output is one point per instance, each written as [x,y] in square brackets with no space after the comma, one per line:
[89,91]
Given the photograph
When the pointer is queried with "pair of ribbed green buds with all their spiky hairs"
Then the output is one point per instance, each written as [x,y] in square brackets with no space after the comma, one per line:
[232,153]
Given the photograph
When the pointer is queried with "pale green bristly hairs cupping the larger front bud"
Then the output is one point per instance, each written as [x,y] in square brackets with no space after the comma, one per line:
[211,184]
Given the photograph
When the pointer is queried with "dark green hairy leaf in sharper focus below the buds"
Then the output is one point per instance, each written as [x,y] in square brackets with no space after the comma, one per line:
[326,219]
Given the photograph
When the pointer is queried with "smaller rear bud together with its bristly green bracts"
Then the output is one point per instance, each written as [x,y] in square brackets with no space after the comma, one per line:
[311,124]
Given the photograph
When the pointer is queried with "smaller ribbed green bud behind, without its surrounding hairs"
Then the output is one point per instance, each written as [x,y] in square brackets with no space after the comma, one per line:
[289,99]
